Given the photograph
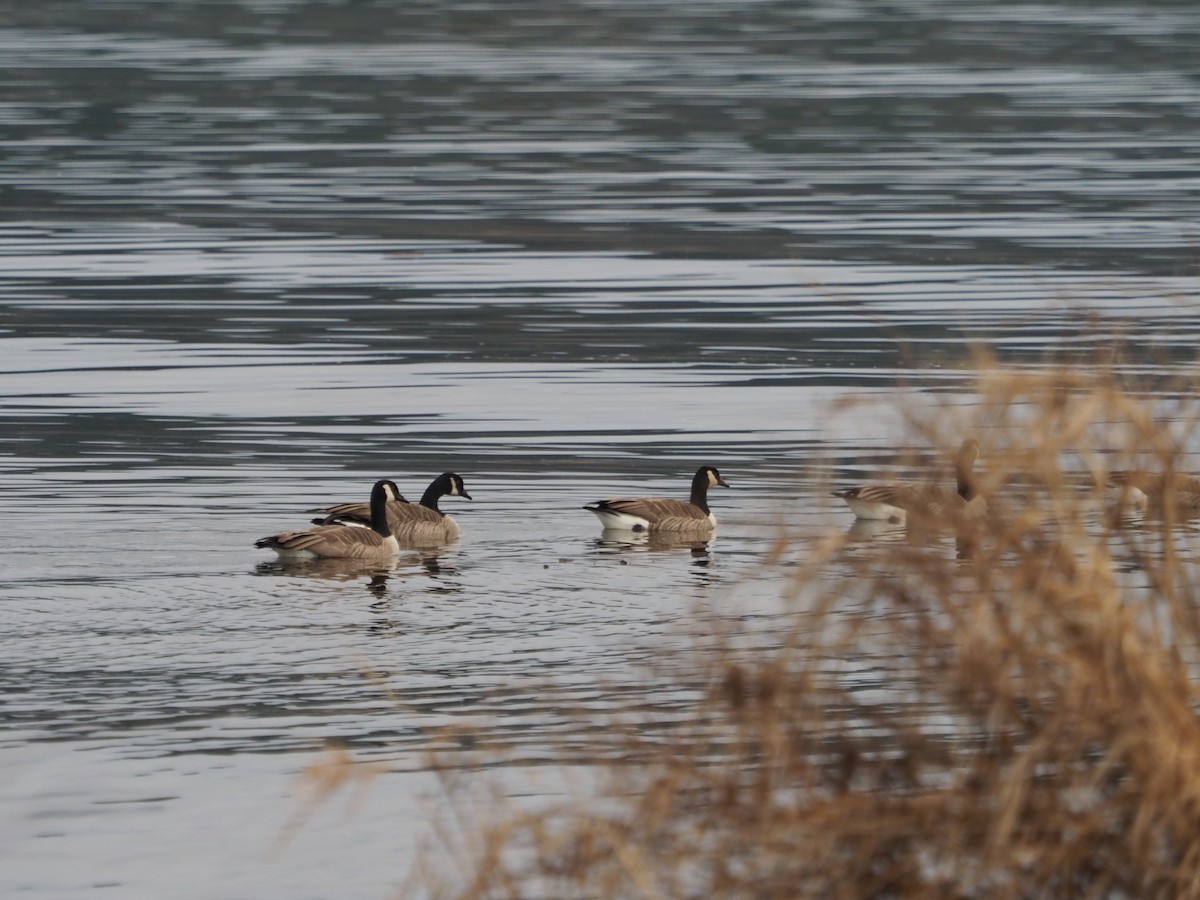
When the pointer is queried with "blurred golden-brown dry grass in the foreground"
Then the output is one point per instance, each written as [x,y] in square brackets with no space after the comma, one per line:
[1012,718]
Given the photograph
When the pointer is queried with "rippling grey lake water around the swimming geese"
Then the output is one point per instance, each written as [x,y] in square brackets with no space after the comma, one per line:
[256,255]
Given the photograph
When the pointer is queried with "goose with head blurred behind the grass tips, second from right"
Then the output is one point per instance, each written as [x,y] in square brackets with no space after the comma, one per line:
[893,501]
